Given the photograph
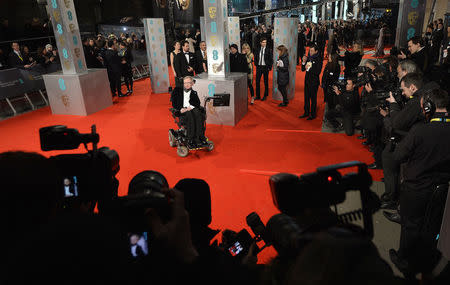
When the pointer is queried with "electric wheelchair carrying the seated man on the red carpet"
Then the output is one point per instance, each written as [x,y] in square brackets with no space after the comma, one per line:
[178,138]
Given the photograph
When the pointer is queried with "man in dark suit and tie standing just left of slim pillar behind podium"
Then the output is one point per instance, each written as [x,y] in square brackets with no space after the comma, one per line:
[263,62]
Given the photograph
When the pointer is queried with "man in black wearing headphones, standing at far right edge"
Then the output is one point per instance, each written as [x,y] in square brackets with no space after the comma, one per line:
[426,155]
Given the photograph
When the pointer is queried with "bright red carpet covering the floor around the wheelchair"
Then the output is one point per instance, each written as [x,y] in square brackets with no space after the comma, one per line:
[237,170]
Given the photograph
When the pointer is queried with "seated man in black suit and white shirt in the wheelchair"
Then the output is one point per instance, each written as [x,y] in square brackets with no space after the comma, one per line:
[186,105]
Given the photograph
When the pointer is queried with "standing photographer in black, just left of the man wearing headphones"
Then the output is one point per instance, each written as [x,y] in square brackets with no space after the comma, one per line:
[398,122]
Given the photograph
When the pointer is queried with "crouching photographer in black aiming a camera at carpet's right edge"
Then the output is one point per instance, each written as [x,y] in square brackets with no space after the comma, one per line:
[348,107]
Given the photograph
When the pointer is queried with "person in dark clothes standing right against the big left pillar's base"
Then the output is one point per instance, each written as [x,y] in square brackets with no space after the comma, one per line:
[112,62]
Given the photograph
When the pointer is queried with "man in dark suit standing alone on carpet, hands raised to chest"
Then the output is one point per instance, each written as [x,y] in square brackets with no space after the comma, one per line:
[312,64]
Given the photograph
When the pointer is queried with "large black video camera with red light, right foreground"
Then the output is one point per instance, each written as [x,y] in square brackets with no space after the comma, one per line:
[324,188]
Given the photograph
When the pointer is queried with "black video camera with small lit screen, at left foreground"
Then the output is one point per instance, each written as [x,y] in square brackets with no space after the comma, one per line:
[84,177]
